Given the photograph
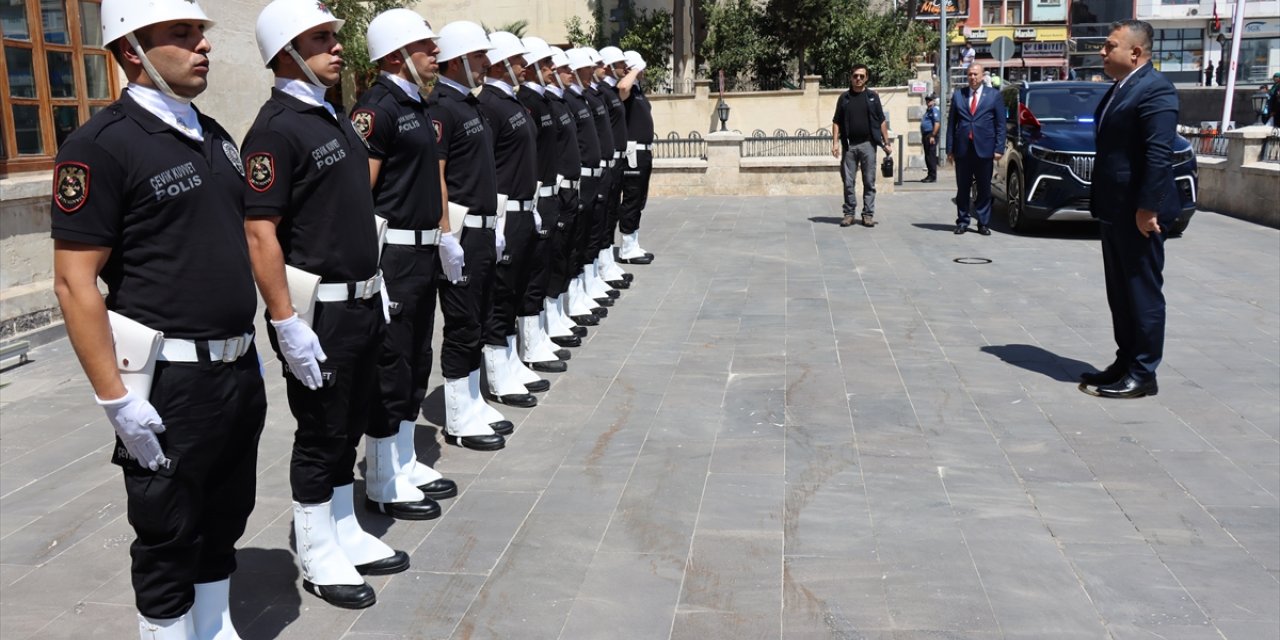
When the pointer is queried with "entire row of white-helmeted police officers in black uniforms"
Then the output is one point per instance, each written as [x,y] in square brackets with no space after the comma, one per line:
[499,194]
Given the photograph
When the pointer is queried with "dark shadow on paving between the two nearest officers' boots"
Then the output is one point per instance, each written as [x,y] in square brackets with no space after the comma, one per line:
[266,592]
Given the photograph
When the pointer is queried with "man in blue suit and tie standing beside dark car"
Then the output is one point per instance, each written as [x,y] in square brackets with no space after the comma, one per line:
[976,141]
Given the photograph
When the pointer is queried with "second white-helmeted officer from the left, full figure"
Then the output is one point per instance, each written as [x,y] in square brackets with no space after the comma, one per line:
[309,208]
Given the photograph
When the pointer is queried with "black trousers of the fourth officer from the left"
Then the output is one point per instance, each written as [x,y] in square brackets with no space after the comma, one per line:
[467,305]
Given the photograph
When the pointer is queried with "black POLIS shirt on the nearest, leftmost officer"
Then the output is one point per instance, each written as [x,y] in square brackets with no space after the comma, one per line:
[170,209]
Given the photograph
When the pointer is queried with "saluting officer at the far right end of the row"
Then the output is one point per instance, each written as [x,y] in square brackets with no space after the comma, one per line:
[636,179]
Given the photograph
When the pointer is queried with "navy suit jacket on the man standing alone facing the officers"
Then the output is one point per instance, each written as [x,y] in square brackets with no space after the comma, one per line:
[1136,136]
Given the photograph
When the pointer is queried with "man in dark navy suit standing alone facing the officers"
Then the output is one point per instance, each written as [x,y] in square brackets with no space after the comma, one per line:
[1135,198]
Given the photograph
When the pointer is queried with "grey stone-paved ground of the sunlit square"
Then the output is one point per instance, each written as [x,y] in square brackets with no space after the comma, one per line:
[790,431]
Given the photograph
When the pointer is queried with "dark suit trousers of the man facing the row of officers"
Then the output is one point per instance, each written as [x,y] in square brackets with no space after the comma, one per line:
[1135,275]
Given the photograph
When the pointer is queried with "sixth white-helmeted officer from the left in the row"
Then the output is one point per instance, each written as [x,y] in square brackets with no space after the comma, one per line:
[534,345]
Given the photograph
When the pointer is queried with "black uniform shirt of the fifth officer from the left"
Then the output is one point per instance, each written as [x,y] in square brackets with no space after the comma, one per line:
[515,140]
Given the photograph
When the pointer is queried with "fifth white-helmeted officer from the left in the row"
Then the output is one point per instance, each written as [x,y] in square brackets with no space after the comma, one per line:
[515,162]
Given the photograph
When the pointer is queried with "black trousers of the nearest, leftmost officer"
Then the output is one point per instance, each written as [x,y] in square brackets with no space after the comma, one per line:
[188,518]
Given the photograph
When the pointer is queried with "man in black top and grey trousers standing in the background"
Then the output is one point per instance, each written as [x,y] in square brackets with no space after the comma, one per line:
[858,130]
